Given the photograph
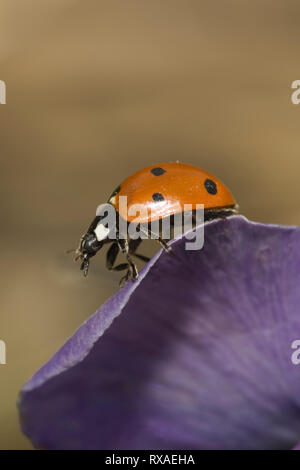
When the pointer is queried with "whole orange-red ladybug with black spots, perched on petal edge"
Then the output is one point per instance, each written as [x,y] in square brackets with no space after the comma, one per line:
[162,190]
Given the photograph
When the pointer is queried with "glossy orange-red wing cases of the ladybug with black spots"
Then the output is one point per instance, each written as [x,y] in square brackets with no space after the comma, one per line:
[162,190]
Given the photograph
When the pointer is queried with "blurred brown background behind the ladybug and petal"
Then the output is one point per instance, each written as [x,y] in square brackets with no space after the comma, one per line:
[95,91]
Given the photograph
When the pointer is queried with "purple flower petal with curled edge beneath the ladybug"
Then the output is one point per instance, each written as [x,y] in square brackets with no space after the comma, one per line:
[194,355]
